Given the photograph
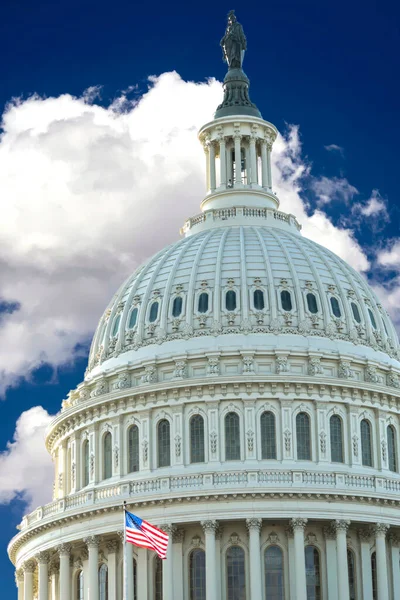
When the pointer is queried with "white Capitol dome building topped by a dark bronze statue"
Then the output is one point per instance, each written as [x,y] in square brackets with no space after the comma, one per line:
[243,394]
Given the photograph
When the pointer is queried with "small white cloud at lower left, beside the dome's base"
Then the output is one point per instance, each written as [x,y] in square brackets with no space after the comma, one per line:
[26,469]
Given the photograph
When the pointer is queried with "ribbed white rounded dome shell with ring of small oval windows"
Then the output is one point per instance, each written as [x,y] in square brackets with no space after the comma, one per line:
[329,299]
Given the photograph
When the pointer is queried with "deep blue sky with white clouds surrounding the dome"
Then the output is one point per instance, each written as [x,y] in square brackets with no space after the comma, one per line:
[329,68]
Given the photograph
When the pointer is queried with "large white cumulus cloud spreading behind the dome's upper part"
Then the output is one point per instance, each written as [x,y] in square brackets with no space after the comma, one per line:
[89,192]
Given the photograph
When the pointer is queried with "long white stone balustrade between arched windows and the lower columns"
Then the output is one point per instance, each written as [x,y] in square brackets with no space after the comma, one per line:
[234,481]
